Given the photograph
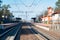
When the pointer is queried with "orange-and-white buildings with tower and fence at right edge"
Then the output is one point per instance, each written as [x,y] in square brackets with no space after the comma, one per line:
[52,18]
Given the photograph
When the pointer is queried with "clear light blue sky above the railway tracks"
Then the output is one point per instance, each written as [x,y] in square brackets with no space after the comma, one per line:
[26,9]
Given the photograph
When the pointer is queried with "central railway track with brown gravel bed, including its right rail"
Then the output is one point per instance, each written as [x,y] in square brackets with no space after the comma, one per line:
[28,31]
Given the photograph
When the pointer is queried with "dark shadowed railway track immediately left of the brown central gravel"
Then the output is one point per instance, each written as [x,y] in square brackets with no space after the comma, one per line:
[11,33]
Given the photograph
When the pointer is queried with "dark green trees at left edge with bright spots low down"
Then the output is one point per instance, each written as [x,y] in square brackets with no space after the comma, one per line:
[5,13]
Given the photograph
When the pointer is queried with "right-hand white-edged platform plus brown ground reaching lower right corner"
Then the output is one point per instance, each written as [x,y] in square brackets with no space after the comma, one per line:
[44,28]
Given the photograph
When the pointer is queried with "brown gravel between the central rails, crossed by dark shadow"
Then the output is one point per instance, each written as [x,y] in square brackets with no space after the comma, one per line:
[26,34]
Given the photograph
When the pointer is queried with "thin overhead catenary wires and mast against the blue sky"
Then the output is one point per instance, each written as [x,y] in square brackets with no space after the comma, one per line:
[18,7]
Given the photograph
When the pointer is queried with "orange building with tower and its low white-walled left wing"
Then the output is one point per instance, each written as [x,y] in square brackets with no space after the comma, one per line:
[47,19]
